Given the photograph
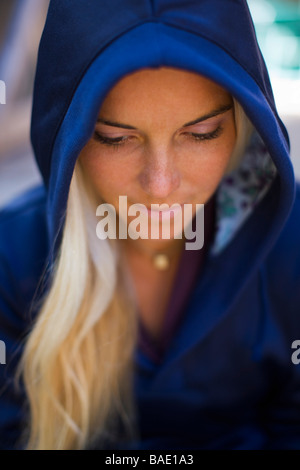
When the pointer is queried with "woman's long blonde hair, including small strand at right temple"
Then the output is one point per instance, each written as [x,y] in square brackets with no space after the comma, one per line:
[78,359]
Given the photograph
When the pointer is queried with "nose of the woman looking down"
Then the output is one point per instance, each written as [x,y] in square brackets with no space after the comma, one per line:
[160,176]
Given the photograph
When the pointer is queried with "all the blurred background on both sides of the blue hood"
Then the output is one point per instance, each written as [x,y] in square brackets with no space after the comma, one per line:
[277,24]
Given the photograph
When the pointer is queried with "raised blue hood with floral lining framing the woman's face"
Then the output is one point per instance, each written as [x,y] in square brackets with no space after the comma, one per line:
[86,48]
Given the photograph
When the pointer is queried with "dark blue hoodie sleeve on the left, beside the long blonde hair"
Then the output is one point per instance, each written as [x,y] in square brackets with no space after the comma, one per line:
[21,225]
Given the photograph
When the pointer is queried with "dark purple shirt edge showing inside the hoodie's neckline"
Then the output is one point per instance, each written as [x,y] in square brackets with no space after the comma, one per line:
[189,270]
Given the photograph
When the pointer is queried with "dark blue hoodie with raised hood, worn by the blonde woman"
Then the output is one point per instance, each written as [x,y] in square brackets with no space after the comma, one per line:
[227,380]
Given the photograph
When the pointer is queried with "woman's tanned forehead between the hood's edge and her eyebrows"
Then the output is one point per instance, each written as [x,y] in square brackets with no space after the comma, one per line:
[163,91]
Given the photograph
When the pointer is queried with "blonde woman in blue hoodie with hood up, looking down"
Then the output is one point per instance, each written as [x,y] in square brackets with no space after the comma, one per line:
[126,342]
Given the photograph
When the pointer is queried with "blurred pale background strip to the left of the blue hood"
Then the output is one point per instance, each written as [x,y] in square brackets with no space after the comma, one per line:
[21,24]
